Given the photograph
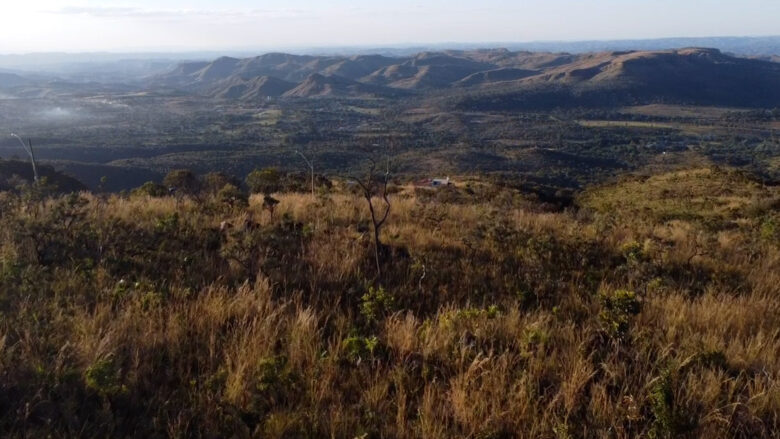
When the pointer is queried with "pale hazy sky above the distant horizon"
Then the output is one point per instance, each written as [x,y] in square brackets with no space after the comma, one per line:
[126,25]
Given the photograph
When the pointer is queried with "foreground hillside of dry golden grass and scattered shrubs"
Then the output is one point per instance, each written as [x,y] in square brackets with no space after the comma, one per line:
[650,309]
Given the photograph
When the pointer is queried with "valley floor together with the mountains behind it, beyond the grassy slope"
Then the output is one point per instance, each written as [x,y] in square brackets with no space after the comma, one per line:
[561,120]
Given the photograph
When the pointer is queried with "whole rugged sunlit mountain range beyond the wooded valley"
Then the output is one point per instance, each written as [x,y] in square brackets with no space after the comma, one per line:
[494,77]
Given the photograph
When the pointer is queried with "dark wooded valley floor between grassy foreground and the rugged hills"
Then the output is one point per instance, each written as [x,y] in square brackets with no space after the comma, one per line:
[131,138]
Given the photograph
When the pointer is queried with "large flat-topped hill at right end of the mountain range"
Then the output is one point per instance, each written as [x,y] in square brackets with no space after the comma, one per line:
[686,76]
